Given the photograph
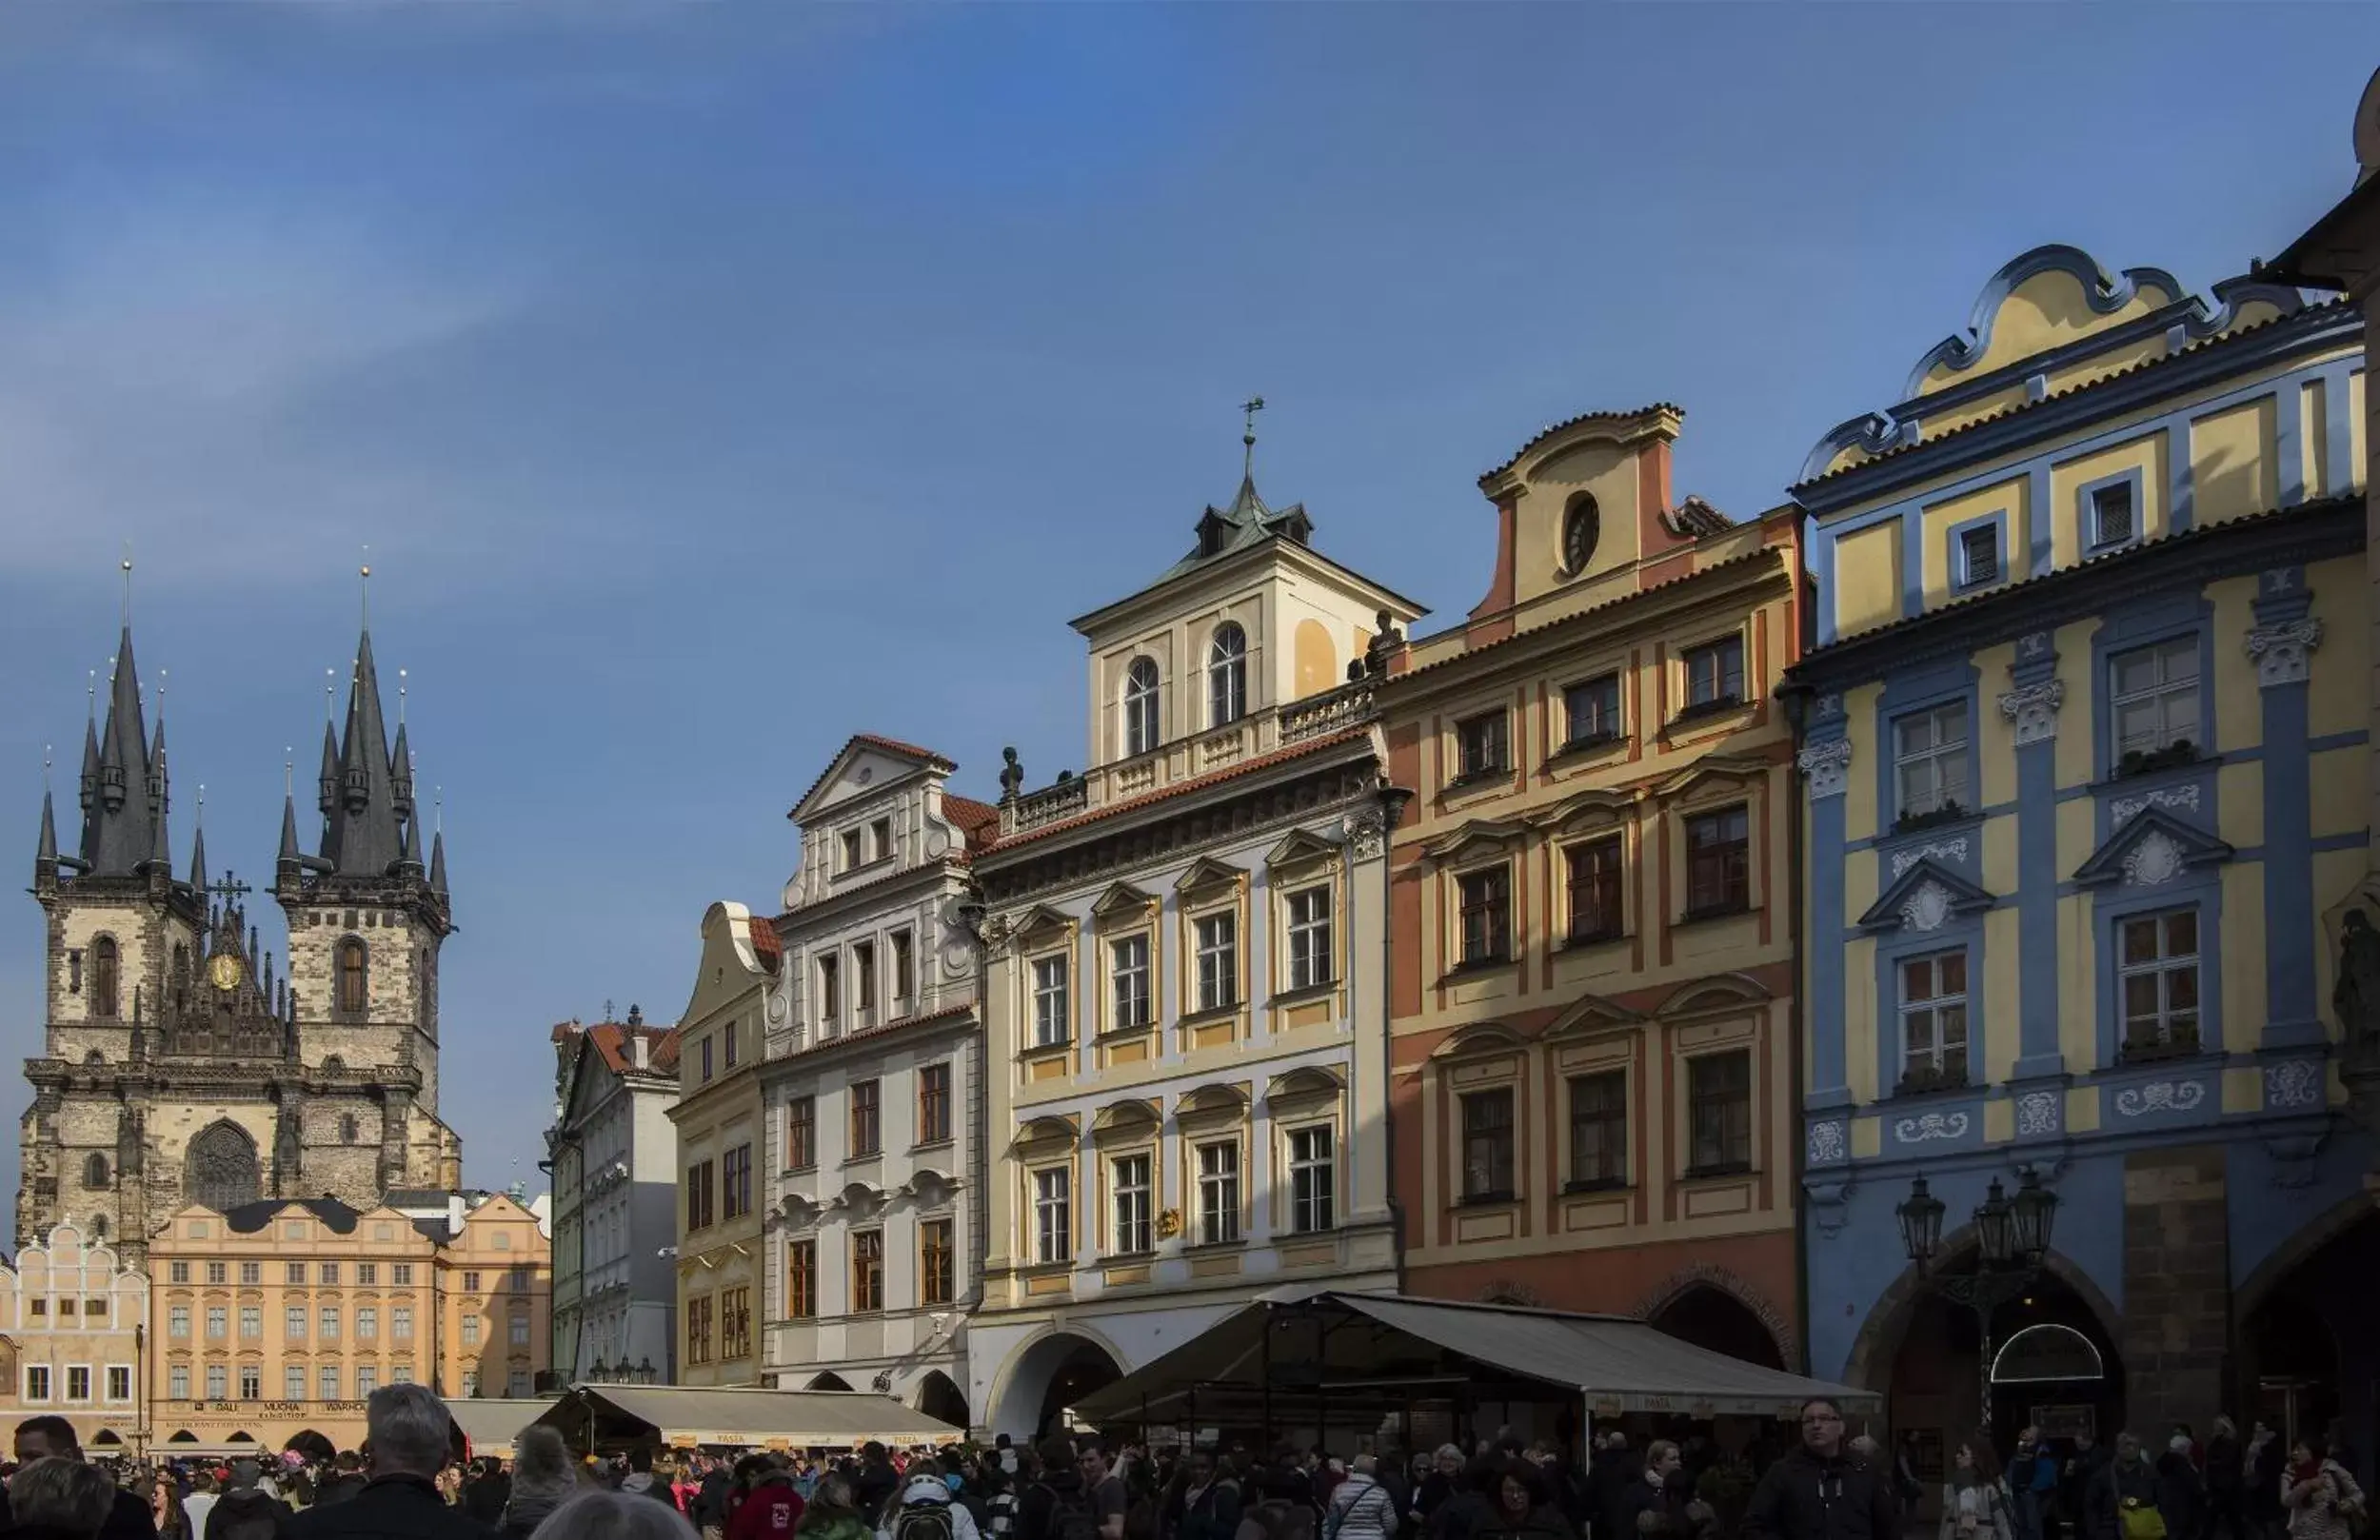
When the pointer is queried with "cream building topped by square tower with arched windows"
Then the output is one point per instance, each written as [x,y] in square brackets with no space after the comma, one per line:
[1186,977]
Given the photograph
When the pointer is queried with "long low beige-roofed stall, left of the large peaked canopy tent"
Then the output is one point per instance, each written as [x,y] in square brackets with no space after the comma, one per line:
[603,1420]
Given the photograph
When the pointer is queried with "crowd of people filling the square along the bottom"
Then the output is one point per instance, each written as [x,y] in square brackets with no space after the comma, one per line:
[406,1486]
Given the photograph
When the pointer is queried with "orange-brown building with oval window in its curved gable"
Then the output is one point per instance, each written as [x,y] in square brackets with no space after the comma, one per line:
[1591,1003]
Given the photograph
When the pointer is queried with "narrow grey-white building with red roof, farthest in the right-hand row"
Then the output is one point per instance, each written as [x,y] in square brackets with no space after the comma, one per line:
[615,1163]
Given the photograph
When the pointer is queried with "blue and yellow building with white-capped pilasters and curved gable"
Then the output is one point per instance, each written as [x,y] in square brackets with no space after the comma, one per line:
[2084,746]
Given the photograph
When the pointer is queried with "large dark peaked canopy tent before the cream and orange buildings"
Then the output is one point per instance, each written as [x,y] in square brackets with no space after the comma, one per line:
[1344,1358]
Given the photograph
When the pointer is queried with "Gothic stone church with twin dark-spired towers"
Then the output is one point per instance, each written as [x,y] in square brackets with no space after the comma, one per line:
[180,1065]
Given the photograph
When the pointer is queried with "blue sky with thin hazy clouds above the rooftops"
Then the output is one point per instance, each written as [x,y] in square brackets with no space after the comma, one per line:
[718,382]
